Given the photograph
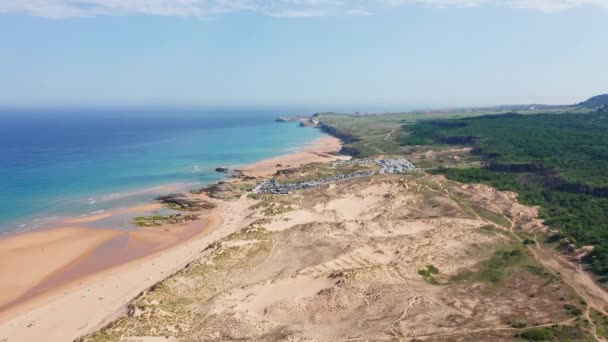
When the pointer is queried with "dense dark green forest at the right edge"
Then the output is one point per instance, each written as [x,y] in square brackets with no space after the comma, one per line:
[556,161]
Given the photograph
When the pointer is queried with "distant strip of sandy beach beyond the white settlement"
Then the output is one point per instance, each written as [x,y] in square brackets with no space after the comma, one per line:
[322,150]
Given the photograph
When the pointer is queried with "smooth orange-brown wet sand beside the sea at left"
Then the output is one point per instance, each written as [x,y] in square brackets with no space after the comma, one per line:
[33,264]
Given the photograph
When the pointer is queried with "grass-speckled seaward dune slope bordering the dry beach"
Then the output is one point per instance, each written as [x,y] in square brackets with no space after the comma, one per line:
[169,307]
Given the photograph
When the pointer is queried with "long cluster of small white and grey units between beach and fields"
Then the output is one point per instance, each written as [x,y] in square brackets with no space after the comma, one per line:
[397,165]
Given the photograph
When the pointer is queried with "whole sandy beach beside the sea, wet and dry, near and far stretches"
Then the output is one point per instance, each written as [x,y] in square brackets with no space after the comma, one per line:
[50,288]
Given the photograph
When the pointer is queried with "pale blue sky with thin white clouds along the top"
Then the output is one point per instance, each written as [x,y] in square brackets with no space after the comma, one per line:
[358,55]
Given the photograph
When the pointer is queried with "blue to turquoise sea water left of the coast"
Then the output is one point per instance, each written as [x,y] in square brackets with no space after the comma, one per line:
[58,164]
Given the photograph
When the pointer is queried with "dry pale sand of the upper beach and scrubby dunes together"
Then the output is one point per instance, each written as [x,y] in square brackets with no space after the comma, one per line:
[328,264]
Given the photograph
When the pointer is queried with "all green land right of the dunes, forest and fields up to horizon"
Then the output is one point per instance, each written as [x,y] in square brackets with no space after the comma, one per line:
[554,158]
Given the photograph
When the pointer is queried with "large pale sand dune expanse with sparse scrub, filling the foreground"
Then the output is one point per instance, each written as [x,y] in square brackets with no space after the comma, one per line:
[334,266]
